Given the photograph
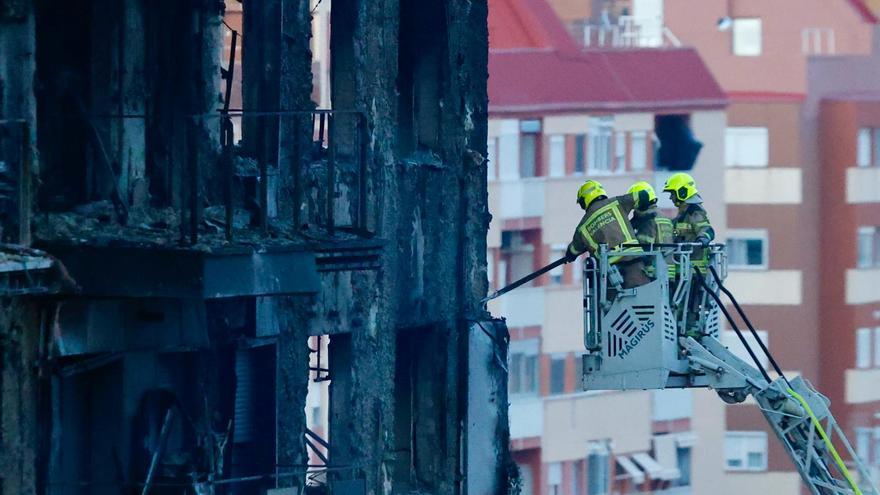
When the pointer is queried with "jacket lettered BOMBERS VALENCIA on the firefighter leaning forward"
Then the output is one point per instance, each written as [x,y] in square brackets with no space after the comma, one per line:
[606,222]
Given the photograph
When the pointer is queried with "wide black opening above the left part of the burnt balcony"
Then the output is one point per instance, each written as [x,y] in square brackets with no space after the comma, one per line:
[96,140]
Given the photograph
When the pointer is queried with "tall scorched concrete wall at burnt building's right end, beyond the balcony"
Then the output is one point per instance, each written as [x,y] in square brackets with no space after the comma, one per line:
[418,71]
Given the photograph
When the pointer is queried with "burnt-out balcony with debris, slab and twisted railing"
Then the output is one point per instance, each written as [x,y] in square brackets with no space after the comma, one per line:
[207,216]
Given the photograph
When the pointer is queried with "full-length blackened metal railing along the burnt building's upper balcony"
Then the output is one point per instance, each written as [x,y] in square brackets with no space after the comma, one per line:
[228,175]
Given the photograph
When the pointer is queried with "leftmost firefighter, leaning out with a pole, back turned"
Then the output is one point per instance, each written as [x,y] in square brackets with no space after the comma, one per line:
[605,221]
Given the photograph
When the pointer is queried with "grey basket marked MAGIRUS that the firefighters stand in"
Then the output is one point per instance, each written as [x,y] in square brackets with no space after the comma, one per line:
[632,335]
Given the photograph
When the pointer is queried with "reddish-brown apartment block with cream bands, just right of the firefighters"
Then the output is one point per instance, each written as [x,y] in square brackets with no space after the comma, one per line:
[779,197]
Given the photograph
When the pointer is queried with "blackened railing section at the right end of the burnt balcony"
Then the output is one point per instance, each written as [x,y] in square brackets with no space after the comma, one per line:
[321,150]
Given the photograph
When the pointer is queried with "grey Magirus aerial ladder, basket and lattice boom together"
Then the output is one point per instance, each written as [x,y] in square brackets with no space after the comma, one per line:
[665,334]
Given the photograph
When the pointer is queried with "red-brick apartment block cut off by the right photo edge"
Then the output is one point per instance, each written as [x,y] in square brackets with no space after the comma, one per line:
[842,108]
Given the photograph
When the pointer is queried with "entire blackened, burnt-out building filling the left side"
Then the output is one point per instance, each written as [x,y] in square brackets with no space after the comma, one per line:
[206,251]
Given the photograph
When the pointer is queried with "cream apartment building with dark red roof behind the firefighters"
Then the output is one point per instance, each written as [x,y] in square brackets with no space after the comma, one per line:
[560,115]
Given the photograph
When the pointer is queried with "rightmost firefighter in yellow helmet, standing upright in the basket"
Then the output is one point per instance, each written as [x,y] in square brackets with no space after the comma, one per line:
[691,225]
